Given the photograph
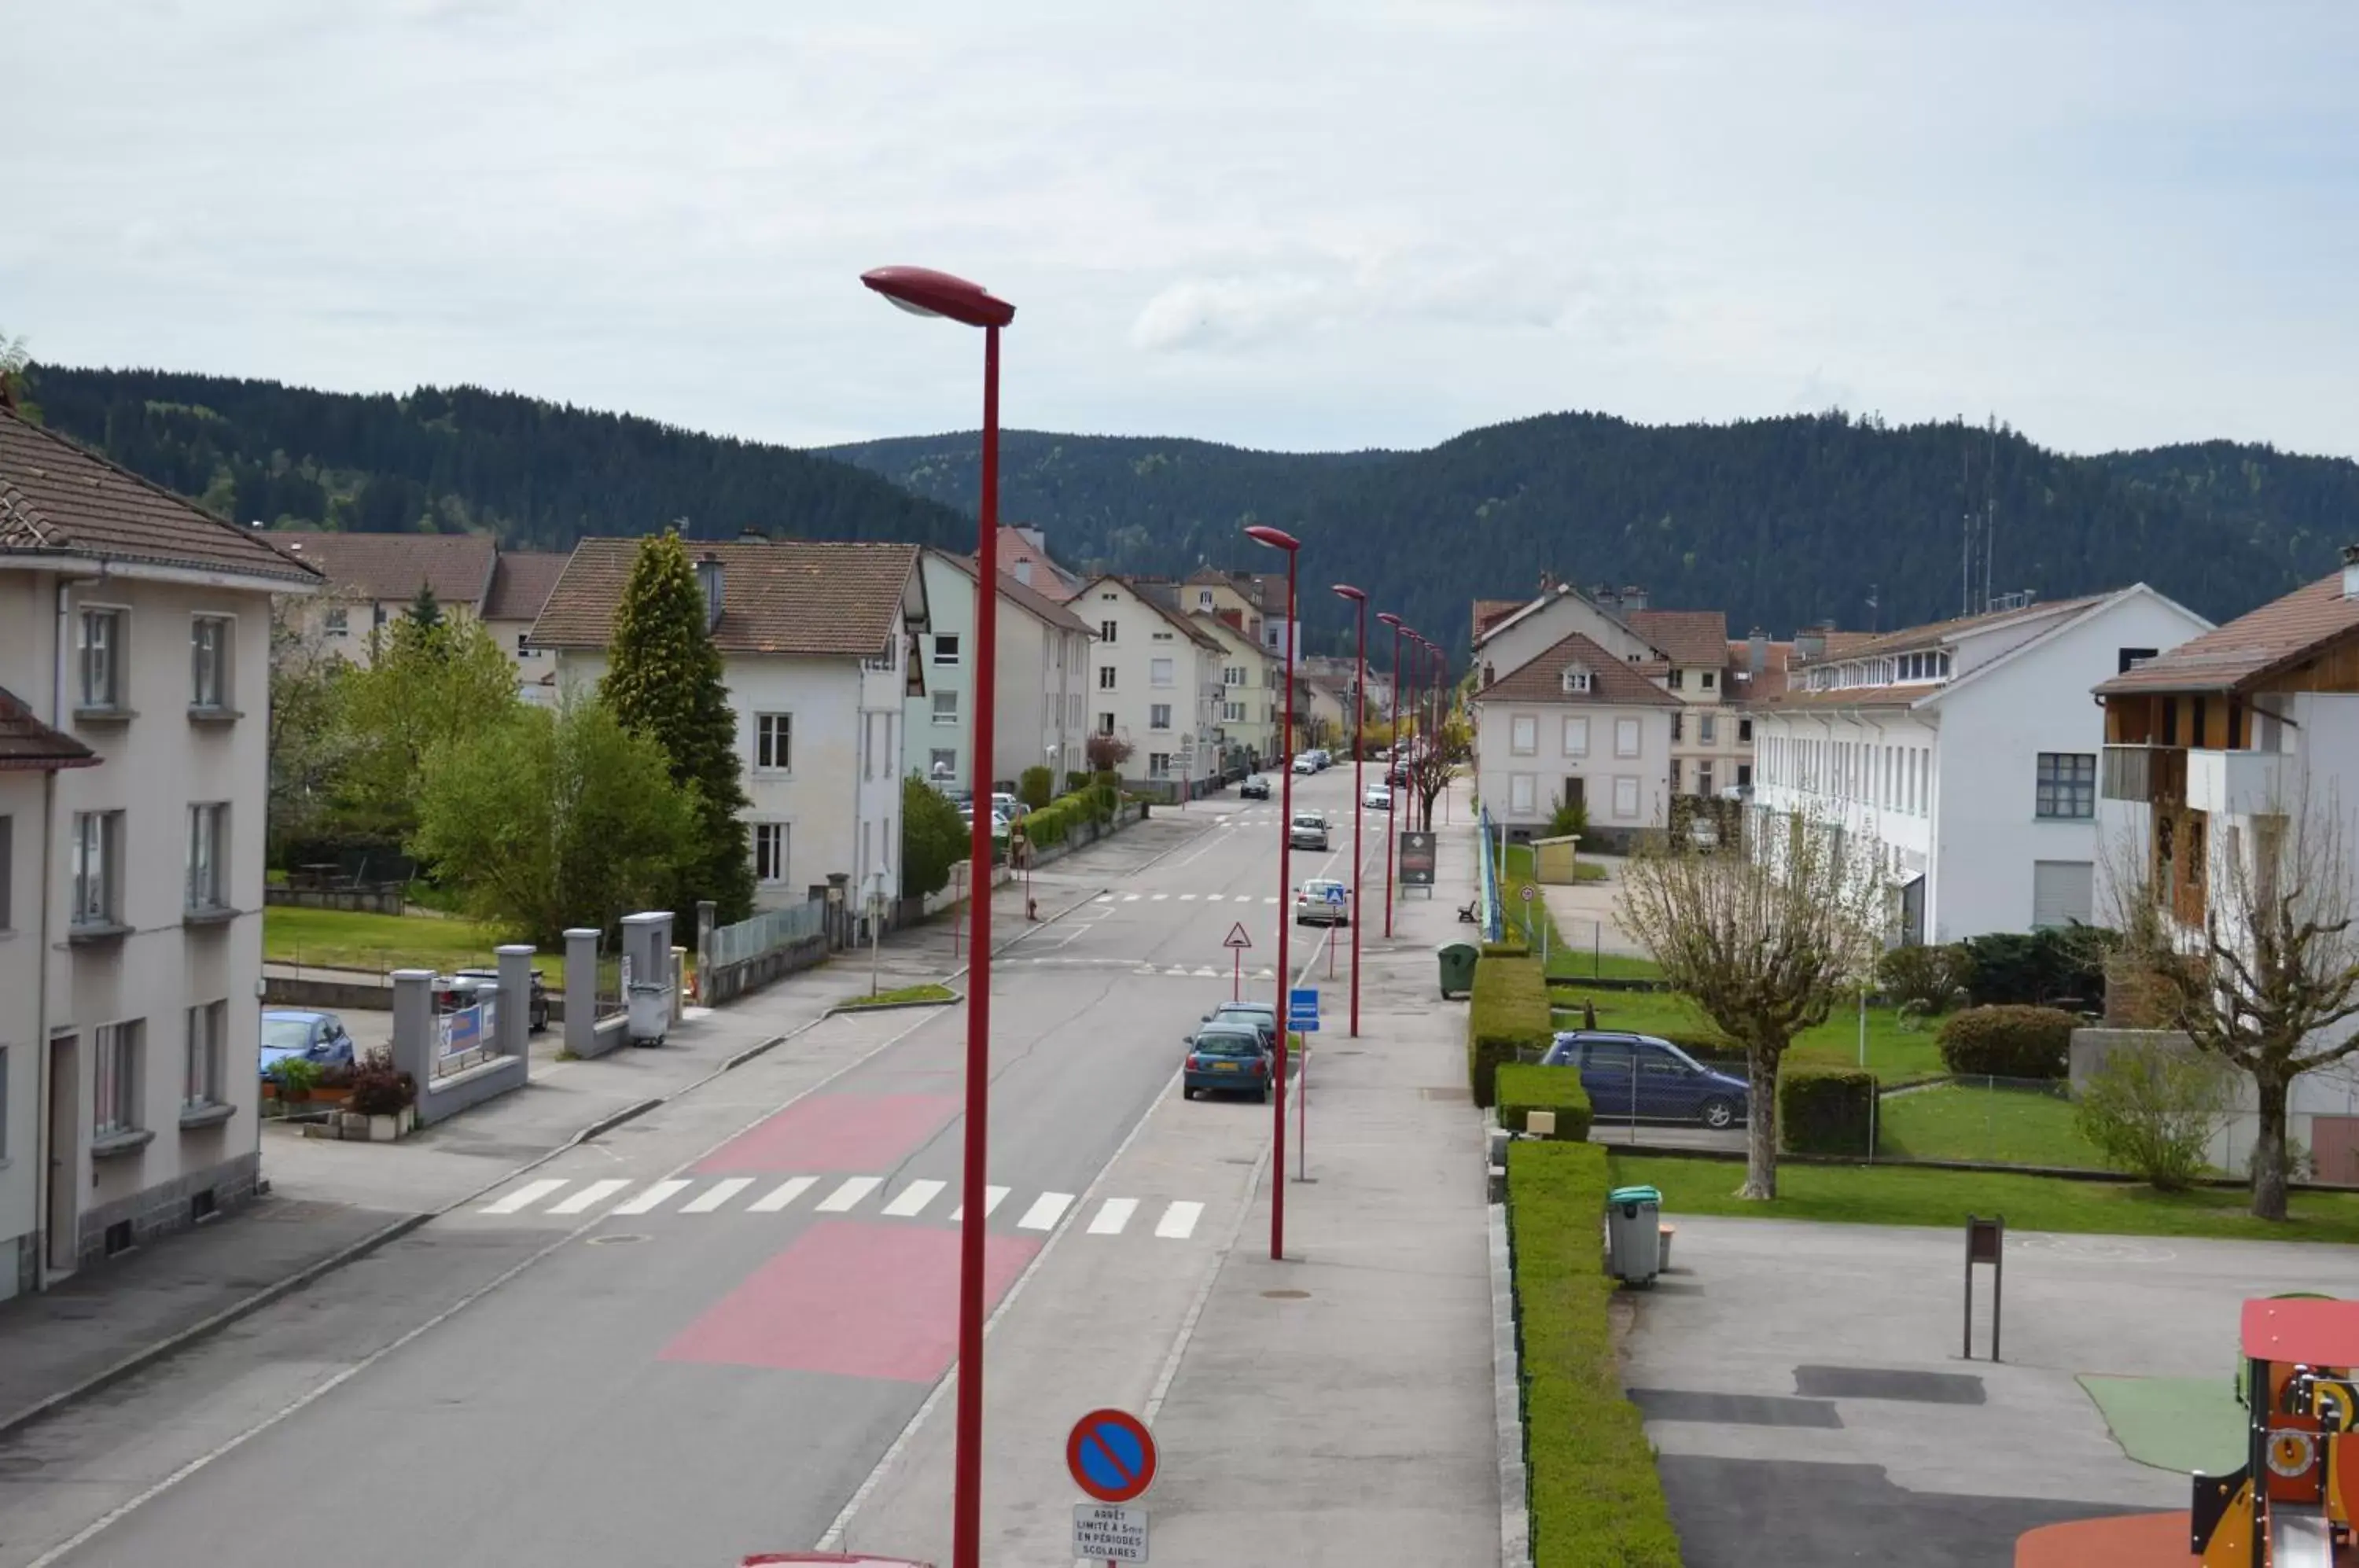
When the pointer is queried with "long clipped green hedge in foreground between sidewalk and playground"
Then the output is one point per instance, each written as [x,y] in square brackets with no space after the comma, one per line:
[1596,1496]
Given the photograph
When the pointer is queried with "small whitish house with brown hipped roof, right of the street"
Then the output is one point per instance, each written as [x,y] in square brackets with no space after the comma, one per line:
[1575,725]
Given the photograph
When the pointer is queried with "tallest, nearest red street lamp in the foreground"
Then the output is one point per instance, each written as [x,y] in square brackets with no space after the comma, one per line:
[938,294]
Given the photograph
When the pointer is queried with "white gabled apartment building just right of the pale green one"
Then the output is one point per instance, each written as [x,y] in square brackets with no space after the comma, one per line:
[1155,685]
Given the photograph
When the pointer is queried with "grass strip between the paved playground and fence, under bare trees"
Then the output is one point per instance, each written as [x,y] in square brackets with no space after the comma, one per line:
[1914,1197]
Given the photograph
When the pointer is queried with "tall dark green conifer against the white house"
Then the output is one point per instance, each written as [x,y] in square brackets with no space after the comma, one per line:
[664,680]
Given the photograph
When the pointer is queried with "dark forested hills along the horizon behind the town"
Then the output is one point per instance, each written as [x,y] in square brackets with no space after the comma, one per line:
[1778,522]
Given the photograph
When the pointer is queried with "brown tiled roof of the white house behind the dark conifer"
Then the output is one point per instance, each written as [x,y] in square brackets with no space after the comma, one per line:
[784,598]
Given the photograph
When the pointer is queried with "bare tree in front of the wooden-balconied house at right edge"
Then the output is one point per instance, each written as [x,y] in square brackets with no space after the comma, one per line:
[2247,947]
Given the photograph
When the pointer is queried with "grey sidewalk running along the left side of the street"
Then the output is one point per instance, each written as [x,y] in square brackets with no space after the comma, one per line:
[336,1201]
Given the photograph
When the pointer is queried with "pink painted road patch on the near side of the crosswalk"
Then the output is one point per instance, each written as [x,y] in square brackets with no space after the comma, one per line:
[853,1300]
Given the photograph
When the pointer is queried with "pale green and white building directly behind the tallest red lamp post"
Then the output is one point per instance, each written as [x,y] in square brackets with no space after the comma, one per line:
[1039,687]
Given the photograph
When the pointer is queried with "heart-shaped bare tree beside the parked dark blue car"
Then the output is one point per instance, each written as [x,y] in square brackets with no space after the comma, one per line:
[1766,942]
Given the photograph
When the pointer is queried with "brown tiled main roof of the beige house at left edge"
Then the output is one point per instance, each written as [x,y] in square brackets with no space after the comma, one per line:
[63,499]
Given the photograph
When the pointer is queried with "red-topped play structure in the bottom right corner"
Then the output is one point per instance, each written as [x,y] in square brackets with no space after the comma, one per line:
[2289,1506]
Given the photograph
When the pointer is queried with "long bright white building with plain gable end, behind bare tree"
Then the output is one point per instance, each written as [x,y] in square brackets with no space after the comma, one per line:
[1964,753]
